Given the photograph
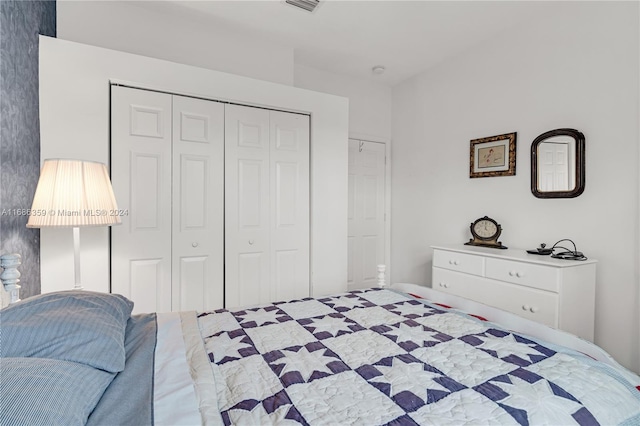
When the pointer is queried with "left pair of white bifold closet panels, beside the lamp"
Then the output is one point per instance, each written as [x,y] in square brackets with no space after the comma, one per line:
[167,158]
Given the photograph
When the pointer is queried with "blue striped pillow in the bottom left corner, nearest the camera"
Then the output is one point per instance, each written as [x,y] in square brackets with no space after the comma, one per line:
[37,391]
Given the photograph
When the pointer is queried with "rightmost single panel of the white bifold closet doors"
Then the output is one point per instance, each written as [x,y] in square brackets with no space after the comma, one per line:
[289,194]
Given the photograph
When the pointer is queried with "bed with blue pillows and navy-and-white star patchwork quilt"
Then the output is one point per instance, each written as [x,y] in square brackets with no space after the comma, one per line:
[377,356]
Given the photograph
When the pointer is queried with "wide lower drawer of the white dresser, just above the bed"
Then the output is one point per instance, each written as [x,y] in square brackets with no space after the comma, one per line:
[537,305]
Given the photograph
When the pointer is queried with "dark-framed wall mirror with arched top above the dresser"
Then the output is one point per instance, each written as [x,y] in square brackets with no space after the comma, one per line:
[557,164]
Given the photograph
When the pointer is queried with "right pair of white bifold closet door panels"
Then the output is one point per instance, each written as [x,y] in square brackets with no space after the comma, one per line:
[266,205]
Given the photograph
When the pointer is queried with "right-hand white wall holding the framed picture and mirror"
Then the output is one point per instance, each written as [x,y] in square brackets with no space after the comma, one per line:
[578,69]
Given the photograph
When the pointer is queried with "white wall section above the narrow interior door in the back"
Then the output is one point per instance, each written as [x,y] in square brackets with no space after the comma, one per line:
[369,102]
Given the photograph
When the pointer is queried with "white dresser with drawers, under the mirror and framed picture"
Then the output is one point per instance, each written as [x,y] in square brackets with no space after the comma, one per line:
[558,293]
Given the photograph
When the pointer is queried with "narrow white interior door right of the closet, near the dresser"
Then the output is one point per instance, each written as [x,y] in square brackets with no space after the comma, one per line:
[366,212]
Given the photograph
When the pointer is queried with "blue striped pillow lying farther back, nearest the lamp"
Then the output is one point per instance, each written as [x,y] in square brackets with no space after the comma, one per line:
[78,326]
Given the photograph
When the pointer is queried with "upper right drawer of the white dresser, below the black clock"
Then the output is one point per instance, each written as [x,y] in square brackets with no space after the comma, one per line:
[527,274]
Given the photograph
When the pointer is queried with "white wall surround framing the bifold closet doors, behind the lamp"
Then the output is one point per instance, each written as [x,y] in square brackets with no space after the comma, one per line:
[74,123]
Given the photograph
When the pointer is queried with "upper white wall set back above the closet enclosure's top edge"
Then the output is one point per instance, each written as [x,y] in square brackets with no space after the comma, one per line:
[156,30]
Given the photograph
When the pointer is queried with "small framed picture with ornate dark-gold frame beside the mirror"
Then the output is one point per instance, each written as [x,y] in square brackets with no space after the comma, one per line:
[493,156]
